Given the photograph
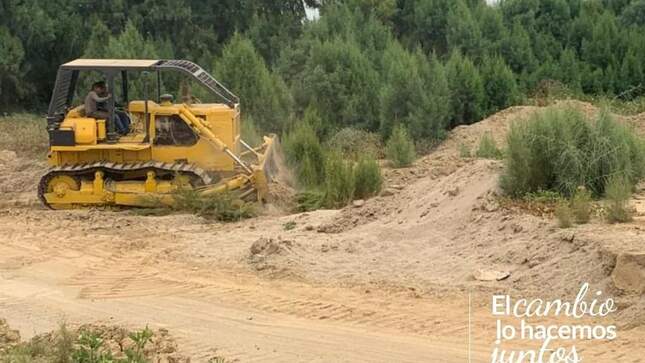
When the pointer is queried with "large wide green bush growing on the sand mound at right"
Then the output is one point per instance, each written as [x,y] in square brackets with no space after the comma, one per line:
[559,150]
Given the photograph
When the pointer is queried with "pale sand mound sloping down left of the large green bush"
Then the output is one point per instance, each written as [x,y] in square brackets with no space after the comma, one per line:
[439,223]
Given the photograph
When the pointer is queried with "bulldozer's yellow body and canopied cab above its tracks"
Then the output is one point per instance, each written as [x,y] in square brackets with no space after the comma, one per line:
[163,129]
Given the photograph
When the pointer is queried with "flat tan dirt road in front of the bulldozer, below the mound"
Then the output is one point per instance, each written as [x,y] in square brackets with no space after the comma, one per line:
[53,269]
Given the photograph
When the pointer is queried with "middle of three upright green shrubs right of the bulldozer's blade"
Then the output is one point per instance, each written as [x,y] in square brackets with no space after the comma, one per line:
[339,181]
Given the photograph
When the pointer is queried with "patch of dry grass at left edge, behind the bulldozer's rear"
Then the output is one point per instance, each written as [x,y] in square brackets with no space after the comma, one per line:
[24,134]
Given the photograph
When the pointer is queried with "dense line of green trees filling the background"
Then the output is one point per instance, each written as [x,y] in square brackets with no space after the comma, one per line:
[428,65]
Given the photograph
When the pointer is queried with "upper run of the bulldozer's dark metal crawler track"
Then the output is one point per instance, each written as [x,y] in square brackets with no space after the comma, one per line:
[198,176]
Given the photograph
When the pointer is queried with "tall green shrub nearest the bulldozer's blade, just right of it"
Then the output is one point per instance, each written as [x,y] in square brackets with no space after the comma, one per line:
[305,154]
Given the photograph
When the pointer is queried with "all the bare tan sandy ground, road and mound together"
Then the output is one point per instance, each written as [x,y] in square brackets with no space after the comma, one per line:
[388,281]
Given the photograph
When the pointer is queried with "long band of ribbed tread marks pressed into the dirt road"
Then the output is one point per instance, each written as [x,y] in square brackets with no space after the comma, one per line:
[127,277]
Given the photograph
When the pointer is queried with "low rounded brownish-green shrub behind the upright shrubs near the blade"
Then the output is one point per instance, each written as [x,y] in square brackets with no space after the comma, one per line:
[354,143]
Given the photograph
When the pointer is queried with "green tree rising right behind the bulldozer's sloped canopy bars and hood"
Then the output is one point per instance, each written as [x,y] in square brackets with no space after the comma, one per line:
[263,95]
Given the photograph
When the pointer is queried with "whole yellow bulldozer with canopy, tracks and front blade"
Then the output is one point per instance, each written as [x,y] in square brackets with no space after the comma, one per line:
[168,146]
